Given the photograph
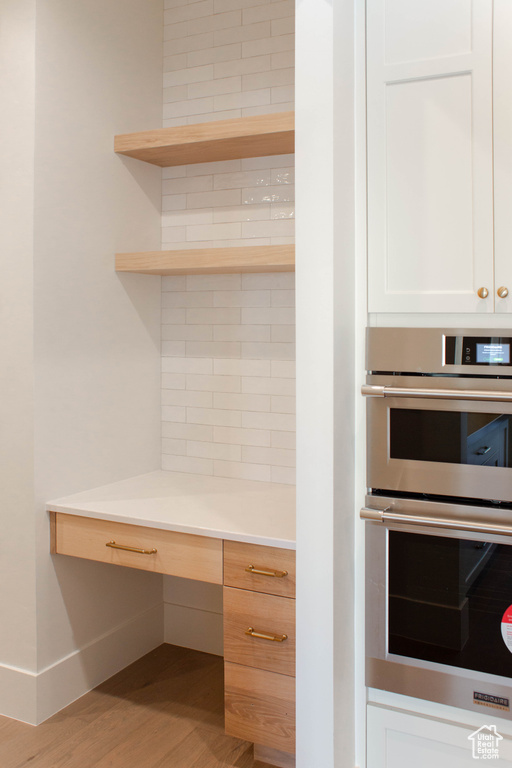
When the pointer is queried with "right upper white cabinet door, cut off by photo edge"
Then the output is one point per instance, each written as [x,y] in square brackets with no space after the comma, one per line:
[503,152]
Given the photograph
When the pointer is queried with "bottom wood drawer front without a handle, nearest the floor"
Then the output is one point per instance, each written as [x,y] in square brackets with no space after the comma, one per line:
[260,706]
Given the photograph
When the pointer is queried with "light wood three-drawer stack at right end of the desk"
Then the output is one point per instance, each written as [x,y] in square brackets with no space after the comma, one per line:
[259,646]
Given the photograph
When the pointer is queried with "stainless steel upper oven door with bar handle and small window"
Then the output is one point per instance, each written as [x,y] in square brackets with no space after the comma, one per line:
[455,440]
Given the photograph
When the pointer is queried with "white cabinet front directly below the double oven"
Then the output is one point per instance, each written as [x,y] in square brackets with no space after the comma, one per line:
[400,740]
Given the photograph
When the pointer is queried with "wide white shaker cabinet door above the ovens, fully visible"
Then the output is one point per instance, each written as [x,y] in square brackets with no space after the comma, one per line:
[430,209]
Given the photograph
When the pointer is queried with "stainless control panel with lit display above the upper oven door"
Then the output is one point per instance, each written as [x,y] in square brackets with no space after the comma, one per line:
[439,351]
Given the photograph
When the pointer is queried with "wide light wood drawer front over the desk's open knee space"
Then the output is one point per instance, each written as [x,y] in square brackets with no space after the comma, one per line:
[178,554]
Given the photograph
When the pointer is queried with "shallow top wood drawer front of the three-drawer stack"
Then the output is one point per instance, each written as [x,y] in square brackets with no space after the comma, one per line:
[239,556]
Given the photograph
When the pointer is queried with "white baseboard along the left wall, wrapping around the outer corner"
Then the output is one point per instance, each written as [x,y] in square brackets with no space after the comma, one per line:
[33,698]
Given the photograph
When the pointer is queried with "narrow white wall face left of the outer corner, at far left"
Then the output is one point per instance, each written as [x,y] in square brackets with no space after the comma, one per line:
[17,566]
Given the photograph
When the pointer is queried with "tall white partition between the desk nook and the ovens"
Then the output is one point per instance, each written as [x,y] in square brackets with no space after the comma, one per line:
[325,288]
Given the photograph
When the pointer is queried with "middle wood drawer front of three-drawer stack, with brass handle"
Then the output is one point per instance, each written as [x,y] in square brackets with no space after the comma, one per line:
[266,614]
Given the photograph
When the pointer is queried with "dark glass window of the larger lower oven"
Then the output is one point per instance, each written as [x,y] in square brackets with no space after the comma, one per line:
[450,601]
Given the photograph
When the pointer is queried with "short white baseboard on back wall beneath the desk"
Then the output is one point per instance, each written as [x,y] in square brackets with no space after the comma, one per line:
[193,628]
